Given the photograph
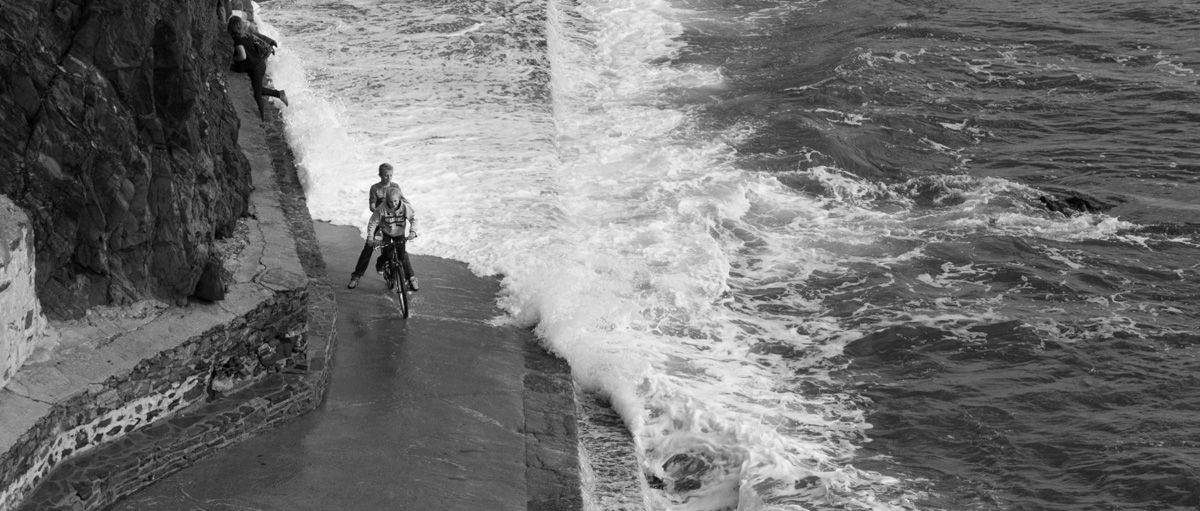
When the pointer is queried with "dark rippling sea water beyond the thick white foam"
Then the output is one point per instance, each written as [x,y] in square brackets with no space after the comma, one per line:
[1006,364]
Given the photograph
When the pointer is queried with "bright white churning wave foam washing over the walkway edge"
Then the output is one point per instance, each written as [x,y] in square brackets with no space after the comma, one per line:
[669,279]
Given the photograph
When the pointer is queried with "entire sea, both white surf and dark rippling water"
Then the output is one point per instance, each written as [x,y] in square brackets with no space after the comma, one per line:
[843,255]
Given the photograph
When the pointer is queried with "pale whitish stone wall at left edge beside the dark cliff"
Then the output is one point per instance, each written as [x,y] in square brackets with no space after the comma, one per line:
[22,324]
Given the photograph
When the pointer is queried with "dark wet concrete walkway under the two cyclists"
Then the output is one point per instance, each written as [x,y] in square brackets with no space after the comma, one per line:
[422,414]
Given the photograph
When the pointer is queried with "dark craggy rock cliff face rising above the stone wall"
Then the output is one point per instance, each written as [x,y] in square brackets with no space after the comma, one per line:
[119,143]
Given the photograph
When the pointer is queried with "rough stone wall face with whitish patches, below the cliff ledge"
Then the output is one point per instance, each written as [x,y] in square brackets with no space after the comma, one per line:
[171,384]
